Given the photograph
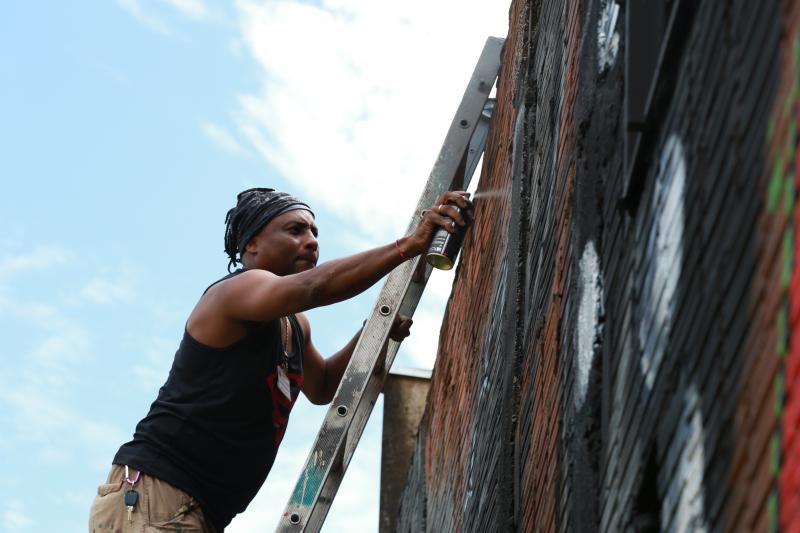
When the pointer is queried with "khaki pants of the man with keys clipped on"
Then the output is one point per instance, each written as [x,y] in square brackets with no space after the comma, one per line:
[161,507]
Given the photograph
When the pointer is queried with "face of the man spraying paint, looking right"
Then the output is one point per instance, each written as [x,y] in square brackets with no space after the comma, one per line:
[286,245]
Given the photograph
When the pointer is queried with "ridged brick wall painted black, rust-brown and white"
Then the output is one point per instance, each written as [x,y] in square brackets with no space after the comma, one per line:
[618,352]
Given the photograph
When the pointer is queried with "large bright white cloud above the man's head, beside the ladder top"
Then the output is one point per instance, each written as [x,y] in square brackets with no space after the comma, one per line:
[357,96]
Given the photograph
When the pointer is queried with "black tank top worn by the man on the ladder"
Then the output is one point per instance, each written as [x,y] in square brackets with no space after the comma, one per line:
[215,427]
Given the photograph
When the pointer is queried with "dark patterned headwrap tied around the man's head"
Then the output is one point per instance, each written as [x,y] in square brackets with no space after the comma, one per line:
[254,209]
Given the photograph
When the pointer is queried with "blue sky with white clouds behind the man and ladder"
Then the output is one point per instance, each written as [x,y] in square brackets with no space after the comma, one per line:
[126,129]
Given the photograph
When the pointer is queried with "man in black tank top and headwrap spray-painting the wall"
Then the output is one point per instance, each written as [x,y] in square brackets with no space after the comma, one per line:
[205,448]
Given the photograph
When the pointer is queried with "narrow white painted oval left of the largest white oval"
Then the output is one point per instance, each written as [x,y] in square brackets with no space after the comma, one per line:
[589,302]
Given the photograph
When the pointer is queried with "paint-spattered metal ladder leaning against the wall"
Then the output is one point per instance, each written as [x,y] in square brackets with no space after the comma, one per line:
[363,379]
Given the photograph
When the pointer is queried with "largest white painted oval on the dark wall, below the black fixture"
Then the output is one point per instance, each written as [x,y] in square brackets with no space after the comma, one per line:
[662,259]
